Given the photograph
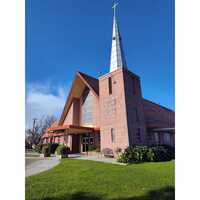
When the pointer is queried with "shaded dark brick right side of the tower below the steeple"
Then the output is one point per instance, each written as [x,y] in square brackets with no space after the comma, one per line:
[134,108]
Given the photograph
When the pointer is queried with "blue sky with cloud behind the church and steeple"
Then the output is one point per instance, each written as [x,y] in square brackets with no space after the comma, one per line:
[65,36]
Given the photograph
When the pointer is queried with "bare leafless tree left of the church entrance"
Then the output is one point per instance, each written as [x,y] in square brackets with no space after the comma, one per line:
[34,135]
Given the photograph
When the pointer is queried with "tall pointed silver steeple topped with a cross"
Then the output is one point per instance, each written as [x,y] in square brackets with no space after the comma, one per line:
[117,59]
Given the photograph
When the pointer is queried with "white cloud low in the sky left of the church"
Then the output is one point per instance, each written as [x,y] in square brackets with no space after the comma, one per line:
[44,99]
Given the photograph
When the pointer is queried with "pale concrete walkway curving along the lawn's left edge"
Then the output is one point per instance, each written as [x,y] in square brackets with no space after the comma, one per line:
[40,165]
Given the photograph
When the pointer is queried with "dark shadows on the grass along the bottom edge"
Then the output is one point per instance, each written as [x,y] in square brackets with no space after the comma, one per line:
[167,193]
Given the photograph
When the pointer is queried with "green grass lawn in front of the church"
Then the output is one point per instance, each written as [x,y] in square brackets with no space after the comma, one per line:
[89,180]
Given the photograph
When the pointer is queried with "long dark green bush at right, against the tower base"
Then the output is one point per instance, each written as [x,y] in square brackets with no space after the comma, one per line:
[136,154]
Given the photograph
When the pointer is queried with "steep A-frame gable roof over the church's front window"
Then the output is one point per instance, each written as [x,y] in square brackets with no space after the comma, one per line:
[80,81]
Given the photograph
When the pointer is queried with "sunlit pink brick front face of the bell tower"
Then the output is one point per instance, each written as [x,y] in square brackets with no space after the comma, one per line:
[113,111]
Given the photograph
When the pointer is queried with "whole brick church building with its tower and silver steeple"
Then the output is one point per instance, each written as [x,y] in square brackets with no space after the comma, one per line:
[110,111]
